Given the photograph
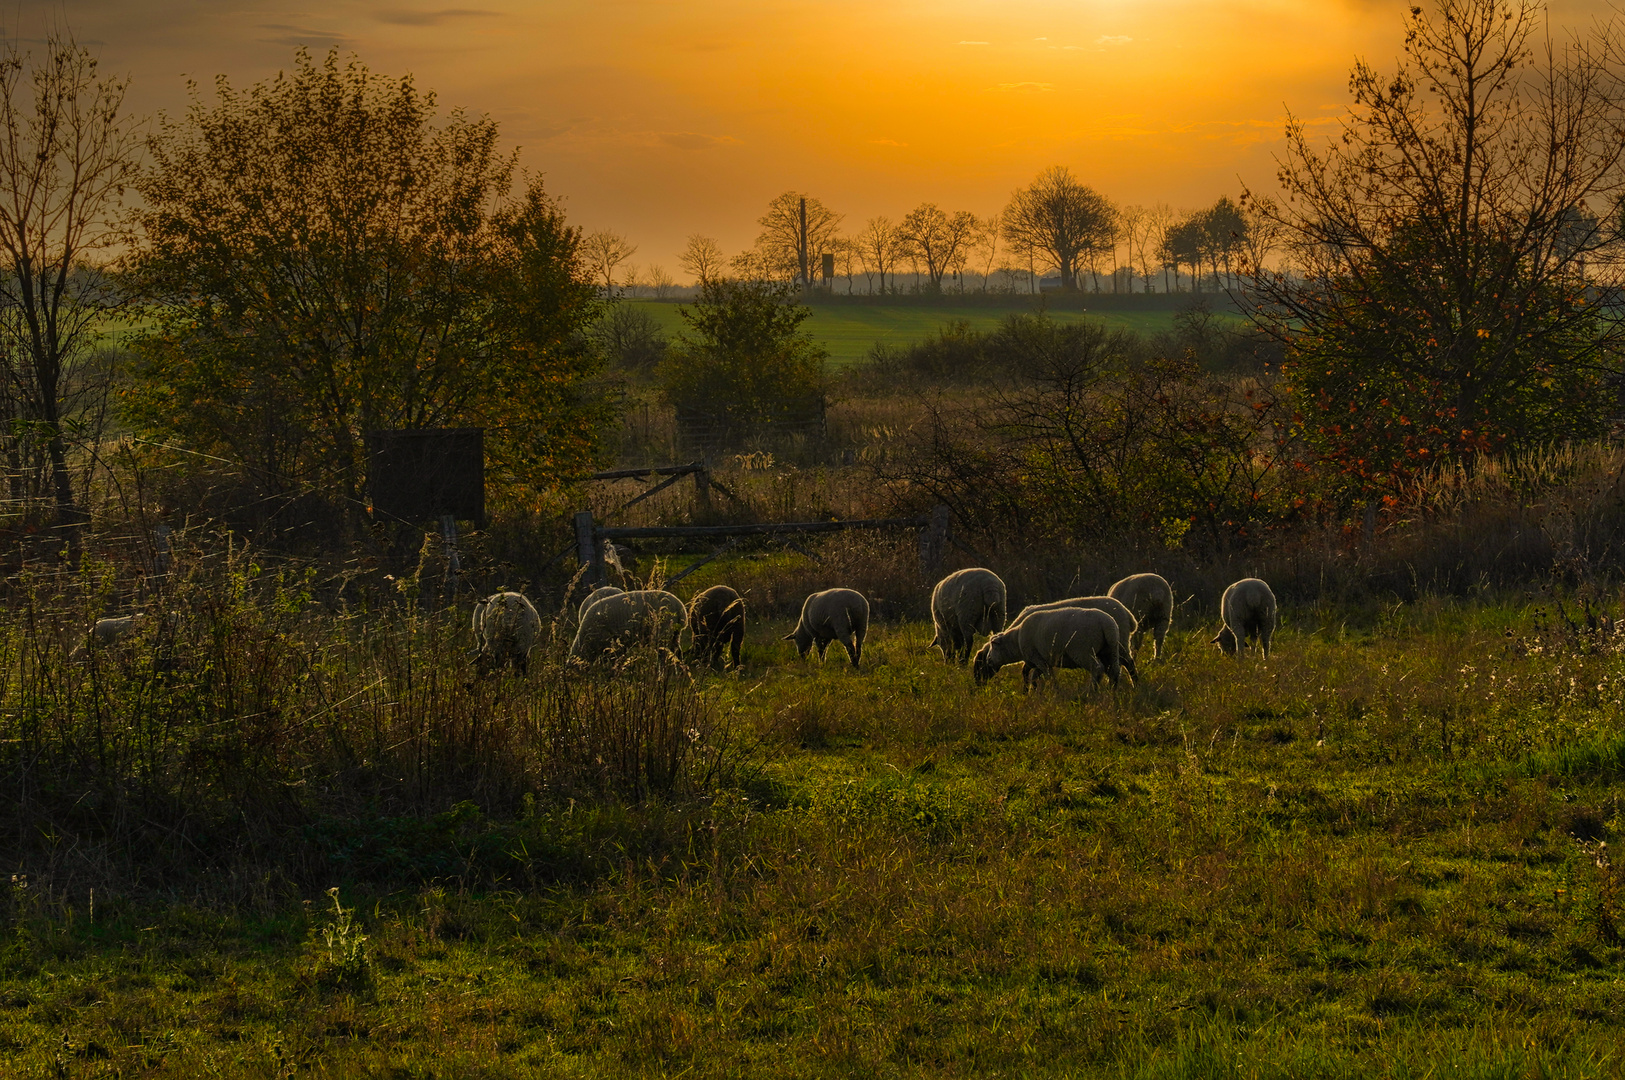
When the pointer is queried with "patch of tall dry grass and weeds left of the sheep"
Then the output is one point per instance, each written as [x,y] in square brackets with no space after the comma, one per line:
[245,725]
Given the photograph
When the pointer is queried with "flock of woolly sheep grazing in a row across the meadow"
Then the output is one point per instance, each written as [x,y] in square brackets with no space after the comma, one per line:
[1098,634]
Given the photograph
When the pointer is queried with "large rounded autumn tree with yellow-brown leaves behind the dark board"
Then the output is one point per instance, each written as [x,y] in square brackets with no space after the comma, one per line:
[321,257]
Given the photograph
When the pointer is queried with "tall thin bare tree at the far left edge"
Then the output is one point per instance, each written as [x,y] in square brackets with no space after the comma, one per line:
[66,155]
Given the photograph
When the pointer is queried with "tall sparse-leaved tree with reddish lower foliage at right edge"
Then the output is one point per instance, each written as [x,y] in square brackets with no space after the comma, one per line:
[1442,303]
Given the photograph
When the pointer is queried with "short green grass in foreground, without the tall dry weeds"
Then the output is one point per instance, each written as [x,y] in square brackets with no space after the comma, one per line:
[1377,855]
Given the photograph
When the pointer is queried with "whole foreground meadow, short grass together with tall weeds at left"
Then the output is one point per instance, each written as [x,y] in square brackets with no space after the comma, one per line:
[1385,852]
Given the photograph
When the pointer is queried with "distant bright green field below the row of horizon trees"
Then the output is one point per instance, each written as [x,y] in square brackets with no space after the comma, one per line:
[851,332]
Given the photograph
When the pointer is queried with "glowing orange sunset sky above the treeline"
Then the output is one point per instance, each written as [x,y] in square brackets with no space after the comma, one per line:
[667,118]
